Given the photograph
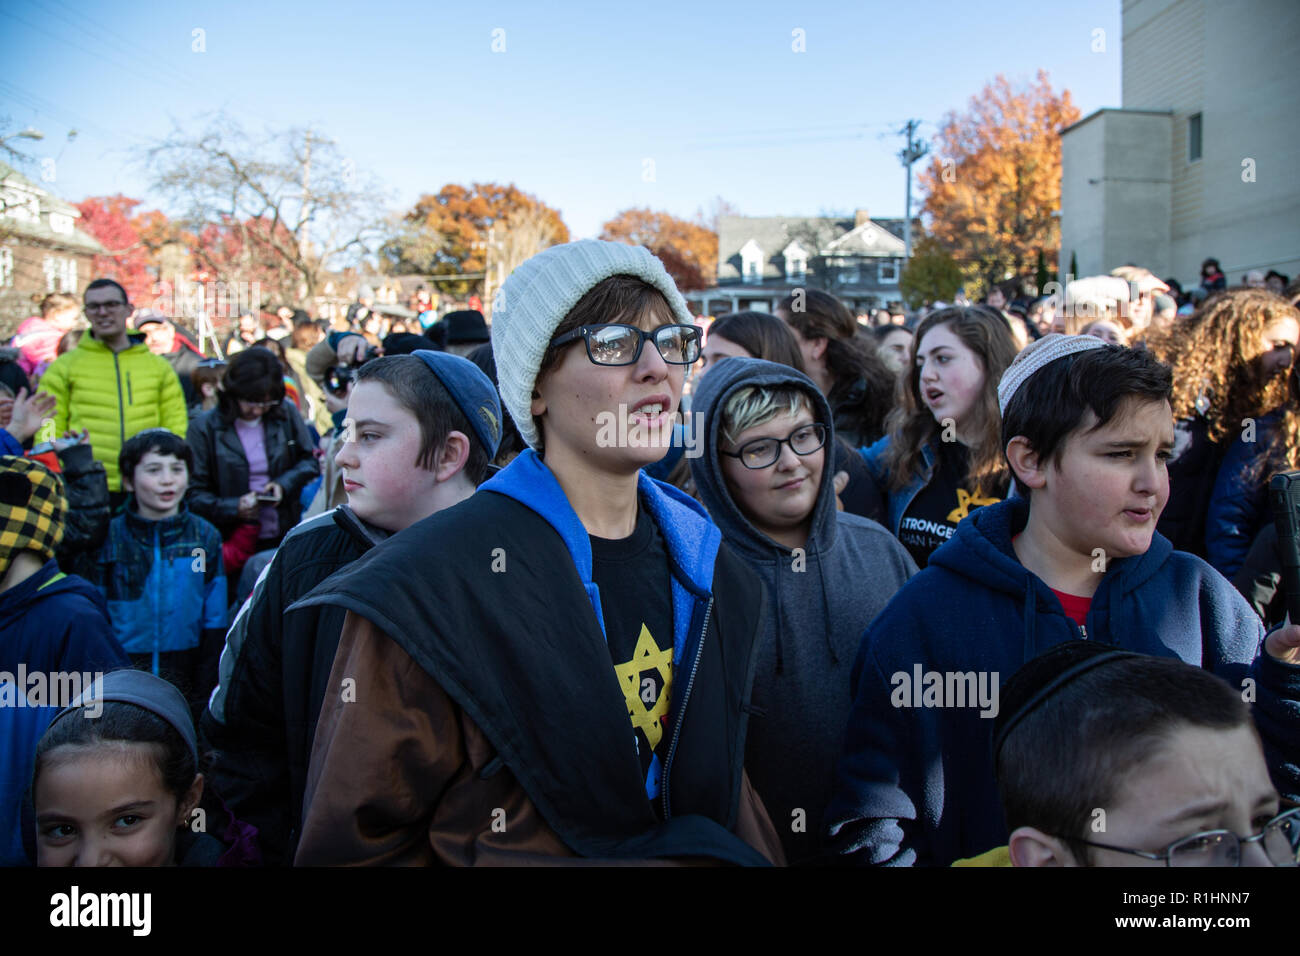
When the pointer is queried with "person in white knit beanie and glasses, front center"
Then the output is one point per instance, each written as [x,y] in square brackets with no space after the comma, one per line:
[575,621]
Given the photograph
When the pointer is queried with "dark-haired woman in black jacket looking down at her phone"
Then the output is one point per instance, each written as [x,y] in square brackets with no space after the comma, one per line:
[253,455]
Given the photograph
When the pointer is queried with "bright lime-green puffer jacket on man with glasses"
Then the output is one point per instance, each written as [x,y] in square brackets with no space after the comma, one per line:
[115,396]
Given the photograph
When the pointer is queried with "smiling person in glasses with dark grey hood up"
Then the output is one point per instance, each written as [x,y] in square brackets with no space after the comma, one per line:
[764,477]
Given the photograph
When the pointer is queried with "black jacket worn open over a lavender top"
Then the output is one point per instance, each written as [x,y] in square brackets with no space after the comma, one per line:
[220,473]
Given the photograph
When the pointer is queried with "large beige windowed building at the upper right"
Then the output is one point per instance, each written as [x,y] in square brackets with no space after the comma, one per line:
[1203,159]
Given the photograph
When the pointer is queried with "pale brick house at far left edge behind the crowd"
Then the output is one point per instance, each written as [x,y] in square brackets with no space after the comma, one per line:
[41,249]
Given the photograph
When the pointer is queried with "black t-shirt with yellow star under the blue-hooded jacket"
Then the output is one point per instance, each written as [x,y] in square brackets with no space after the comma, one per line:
[636,598]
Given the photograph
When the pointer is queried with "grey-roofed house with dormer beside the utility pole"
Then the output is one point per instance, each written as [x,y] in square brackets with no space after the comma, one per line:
[762,259]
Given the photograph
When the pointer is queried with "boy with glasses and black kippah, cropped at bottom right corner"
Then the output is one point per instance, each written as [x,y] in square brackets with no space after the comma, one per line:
[1106,758]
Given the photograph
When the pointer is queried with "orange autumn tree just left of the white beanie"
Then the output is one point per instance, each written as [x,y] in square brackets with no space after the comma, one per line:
[463,230]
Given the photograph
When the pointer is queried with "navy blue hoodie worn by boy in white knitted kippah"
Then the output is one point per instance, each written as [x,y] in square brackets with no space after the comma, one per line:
[916,784]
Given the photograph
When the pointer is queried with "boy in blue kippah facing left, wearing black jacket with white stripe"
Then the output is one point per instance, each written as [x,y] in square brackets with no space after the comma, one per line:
[419,435]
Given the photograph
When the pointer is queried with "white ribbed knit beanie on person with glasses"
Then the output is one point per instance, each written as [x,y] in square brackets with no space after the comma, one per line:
[535,300]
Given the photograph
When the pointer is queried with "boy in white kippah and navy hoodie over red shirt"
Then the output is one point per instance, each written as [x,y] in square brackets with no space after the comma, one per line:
[1087,431]
